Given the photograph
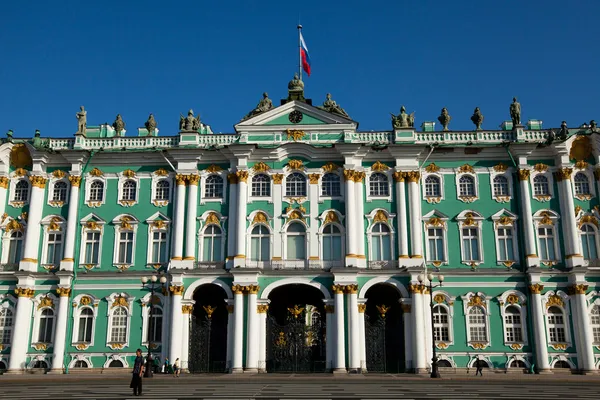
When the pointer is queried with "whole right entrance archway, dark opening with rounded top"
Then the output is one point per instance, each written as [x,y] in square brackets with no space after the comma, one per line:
[384,330]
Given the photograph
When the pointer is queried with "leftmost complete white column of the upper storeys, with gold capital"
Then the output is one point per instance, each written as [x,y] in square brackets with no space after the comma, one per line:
[32,236]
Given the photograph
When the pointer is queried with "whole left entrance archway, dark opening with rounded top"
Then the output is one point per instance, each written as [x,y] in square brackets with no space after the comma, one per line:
[208,330]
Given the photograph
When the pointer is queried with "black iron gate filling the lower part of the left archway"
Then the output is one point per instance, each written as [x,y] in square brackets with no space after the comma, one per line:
[207,351]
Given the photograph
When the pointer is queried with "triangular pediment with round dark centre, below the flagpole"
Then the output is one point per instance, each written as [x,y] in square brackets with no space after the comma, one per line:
[295,114]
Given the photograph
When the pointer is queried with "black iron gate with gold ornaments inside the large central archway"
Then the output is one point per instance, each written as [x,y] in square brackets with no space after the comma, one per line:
[296,346]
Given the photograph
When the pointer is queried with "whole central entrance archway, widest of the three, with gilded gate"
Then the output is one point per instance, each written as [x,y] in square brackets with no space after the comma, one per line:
[296,327]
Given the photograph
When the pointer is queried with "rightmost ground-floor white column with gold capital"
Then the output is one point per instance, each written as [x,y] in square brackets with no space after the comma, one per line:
[585,347]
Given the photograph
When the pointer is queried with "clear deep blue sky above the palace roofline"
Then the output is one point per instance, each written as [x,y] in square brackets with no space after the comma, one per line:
[218,57]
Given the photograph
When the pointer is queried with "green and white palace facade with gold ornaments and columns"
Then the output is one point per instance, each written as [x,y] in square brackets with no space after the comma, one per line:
[299,243]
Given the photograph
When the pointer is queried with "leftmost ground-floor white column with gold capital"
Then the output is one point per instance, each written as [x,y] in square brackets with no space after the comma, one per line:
[21,330]
